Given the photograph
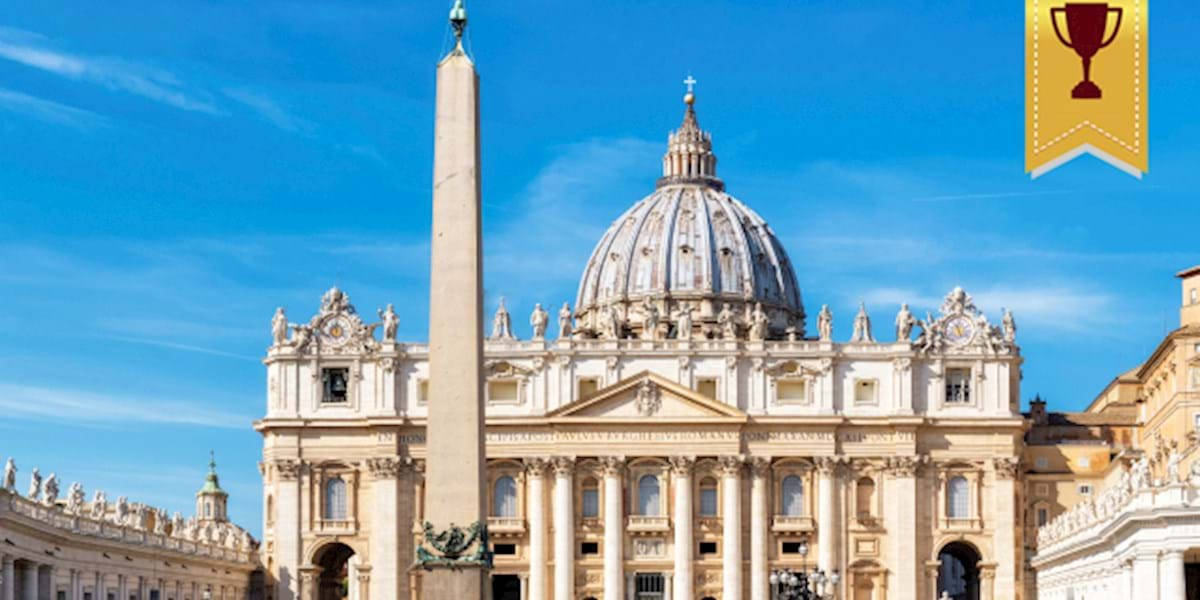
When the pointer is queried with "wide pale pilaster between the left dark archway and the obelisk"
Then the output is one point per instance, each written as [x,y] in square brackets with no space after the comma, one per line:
[387,529]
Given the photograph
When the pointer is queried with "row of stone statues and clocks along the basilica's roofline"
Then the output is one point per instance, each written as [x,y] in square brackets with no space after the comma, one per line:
[961,327]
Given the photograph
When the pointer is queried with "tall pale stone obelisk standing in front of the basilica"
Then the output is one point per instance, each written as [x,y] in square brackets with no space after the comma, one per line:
[454,469]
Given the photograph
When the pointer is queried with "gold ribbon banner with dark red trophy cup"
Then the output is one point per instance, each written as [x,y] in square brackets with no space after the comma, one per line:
[1085,83]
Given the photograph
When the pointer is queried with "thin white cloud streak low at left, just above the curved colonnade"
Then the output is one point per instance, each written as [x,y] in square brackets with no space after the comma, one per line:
[88,409]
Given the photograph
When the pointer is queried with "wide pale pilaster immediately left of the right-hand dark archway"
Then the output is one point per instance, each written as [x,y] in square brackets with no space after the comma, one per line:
[902,521]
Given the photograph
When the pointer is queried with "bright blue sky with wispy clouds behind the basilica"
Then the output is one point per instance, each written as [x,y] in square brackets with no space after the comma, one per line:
[171,172]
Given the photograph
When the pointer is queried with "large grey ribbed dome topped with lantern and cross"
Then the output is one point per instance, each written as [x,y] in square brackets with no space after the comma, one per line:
[689,247]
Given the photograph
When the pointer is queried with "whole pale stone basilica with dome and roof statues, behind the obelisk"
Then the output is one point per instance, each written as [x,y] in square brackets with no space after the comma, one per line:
[679,434]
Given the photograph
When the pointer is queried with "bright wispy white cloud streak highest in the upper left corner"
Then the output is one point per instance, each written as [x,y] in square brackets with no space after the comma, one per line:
[148,82]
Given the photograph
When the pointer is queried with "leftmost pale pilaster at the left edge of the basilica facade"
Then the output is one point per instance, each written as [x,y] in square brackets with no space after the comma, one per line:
[287,530]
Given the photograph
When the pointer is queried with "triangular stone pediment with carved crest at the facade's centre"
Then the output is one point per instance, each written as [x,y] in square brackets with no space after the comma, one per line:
[647,397]
